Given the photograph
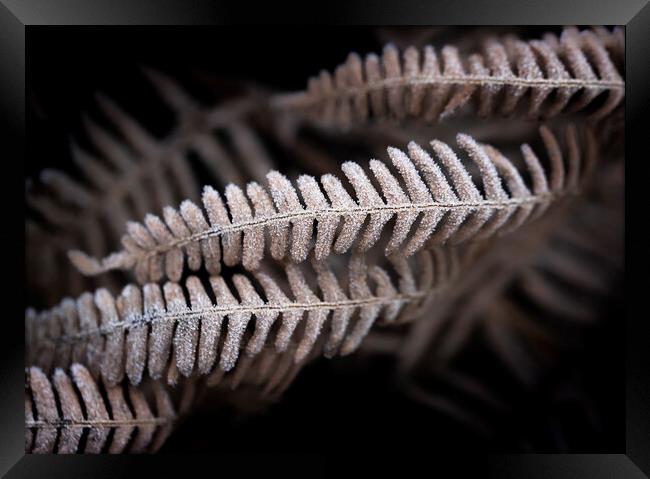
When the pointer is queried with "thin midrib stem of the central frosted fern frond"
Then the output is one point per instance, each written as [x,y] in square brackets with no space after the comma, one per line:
[338,212]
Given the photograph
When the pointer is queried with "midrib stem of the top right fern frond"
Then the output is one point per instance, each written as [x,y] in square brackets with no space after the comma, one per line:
[304,99]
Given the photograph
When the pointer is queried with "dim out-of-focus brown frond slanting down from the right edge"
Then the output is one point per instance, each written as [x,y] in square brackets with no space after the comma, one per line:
[554,274]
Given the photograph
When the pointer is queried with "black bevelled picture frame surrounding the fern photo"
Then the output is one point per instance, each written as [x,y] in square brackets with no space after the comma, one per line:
[19,16]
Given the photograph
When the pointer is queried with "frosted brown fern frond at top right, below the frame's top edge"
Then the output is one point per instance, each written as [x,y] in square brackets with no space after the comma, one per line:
[549,76]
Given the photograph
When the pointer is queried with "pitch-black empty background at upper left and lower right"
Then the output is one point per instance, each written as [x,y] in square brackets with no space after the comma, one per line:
[341,402]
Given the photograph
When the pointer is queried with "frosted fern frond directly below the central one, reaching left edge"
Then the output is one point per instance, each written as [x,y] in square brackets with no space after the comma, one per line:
[155,329]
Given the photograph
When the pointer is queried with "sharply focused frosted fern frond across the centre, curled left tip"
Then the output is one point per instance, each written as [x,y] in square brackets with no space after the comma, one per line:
[441,193]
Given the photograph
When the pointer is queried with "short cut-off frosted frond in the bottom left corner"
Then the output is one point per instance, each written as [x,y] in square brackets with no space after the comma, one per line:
[72,413]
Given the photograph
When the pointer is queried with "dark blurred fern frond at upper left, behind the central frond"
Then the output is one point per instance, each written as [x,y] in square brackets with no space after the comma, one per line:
[160,169]
